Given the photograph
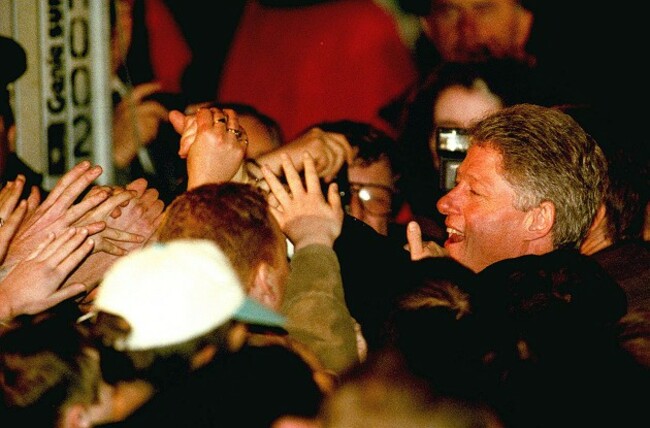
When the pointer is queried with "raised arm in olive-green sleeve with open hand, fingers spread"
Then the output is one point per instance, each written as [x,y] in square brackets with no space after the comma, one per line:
[314,302]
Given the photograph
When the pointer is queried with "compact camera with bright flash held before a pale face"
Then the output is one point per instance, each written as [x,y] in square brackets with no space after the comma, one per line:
[451,145]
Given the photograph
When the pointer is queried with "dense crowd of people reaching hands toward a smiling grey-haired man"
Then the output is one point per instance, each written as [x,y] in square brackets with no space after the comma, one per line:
[461,250]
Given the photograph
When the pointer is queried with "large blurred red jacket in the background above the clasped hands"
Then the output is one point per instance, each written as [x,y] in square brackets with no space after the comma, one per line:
[330,61]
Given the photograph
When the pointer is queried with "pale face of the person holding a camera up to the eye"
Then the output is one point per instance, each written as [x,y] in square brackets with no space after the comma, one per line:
[458,107]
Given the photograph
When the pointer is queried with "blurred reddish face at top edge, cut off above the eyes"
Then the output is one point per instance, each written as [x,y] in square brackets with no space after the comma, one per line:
[472,30]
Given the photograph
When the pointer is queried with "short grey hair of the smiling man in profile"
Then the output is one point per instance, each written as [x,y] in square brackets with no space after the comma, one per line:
[547,156]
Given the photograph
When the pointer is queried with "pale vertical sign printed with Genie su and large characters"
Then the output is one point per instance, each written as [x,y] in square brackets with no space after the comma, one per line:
[67,48]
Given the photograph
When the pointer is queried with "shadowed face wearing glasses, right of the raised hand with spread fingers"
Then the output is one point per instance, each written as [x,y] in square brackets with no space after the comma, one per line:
[371,193]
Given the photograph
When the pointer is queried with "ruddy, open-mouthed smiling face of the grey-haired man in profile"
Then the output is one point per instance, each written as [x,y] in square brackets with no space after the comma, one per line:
[482,222]
